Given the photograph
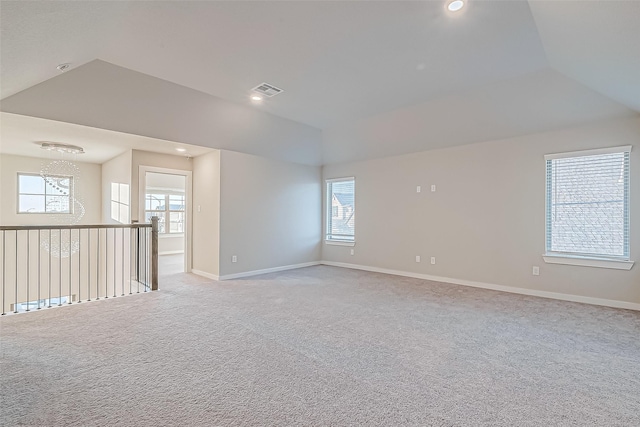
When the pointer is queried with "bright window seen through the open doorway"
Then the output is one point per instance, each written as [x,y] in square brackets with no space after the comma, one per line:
[170,210]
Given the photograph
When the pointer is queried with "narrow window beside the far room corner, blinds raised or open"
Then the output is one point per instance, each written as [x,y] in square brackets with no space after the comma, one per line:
[341,210]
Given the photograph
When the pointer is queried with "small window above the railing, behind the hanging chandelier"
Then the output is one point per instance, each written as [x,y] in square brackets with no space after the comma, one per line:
[45,194]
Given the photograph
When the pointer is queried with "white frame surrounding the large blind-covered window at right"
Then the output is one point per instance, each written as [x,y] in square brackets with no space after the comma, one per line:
[622,262]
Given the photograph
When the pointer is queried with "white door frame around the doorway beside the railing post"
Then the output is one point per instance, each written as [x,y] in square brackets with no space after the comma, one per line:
[142,191]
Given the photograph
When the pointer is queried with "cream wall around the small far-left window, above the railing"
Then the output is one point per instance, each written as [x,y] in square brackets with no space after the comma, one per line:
[87,188]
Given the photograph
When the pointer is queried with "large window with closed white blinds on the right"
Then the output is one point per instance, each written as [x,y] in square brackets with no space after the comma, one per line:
[587,209]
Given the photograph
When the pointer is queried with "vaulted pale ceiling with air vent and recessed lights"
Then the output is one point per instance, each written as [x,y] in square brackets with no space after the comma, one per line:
[361,79]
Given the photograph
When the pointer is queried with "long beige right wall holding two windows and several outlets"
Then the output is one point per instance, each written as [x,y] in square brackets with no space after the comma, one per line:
[485,223]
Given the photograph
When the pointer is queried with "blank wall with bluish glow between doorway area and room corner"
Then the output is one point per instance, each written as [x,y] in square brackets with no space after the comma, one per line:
[270,213]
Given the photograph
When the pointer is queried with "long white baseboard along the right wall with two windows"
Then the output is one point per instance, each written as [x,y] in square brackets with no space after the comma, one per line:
[494,287]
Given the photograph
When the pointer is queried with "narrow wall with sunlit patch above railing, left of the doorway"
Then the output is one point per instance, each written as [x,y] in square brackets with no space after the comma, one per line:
[115,171]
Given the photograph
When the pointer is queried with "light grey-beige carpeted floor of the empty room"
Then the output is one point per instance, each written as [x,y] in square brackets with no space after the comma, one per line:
[321,346]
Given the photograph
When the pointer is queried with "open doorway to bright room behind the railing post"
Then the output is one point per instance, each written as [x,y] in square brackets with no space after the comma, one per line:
[167,196]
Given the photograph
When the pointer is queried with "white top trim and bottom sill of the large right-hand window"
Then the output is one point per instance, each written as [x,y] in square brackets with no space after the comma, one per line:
[587,261]
